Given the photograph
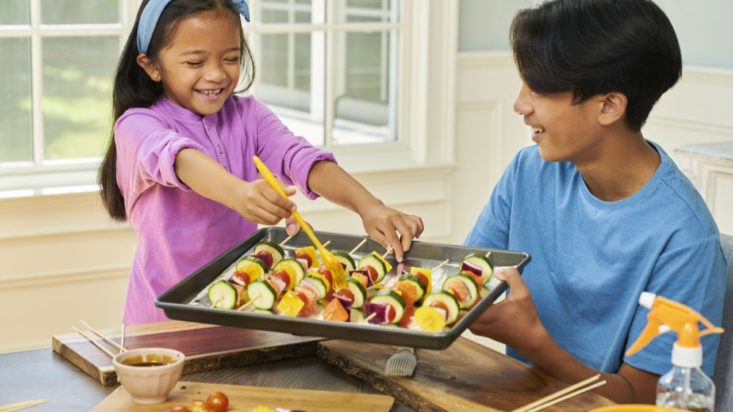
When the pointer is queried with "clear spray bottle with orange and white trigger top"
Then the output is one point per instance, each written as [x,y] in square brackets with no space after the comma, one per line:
[685,386]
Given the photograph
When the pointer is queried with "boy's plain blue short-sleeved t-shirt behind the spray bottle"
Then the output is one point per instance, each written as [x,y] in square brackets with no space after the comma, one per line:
[591,259]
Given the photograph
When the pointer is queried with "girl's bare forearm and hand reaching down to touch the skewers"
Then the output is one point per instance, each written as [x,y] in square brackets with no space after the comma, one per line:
[388,226]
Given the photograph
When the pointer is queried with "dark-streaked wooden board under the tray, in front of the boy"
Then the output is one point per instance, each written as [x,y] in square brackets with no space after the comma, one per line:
[466,376]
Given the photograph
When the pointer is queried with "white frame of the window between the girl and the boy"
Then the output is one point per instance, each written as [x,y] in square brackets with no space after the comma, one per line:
[427,46]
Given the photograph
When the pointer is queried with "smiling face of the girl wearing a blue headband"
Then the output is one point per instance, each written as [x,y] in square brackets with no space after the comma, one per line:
[200,66]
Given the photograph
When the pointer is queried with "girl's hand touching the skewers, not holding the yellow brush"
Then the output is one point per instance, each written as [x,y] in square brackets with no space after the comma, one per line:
[392,229]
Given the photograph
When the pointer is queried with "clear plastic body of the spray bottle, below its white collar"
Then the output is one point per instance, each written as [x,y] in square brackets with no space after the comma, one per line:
[687,389]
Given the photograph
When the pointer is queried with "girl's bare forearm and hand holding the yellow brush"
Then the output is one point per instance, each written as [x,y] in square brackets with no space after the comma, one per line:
[256,201]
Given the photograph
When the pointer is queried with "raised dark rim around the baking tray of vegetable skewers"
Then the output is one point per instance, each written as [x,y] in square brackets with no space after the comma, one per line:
[174,309]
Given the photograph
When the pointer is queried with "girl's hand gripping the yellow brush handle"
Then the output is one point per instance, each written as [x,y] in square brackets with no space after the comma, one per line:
[261,204]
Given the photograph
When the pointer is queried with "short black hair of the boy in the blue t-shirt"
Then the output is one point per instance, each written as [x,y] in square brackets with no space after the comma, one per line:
[589,47]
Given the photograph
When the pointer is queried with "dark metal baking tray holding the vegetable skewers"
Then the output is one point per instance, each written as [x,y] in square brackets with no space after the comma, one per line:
[180,301]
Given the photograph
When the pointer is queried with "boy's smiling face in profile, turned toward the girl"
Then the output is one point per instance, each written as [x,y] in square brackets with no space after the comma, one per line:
[563,130]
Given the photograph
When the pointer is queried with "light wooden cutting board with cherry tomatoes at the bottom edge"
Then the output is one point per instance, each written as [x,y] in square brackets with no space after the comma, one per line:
[244,398]
